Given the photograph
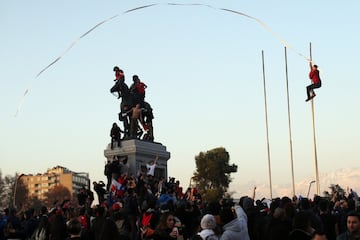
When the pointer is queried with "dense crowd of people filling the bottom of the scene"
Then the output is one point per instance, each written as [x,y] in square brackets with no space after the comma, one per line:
[149,207]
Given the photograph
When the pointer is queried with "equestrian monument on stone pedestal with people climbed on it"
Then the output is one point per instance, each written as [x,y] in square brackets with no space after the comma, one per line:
[137,143]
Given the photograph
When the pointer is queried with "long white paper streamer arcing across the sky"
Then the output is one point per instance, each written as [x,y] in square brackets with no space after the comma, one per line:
[153,5]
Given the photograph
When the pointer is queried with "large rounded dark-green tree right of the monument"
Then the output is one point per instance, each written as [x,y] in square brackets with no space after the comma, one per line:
[212,175]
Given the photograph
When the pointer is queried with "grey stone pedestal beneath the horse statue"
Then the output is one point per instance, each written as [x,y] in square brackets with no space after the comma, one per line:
[139,153]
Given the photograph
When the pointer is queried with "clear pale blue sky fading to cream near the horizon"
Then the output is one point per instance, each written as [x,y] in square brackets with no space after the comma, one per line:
[204,71]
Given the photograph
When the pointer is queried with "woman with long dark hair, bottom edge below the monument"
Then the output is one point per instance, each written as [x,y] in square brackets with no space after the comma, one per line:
[166,229]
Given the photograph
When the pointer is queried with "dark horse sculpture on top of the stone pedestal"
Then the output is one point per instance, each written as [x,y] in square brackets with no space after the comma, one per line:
[129,99]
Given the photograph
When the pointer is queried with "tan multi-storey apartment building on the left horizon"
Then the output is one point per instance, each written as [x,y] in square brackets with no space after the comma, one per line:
[40,184]
